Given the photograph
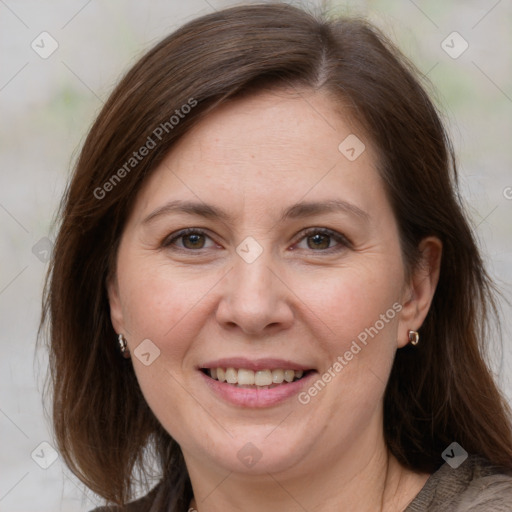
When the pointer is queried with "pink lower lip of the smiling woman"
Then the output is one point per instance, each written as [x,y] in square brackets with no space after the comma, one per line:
[257,398]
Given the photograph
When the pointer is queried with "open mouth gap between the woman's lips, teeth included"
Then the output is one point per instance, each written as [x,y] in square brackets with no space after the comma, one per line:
[255,379]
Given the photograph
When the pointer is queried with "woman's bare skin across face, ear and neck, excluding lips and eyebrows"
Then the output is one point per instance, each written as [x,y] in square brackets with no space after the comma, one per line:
[255,157]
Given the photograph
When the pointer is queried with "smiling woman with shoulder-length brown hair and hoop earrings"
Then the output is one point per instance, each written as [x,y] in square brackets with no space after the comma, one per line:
[264,278]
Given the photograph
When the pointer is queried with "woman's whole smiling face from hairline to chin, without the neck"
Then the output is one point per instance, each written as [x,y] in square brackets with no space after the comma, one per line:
[257,245]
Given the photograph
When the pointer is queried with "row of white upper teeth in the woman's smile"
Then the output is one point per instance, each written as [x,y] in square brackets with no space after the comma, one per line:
[244,377]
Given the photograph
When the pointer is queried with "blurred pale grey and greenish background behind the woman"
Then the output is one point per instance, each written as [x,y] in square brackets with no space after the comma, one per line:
[60,60]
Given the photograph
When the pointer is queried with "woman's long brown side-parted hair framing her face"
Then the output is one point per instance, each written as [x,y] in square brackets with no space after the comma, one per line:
[440,391]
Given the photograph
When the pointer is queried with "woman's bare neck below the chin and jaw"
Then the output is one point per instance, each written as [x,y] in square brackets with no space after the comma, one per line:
[357,482]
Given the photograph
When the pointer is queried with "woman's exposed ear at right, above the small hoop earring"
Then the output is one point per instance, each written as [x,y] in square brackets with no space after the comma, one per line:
[419,291]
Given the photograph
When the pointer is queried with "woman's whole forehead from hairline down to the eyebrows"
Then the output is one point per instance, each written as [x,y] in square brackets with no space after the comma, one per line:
[269,148]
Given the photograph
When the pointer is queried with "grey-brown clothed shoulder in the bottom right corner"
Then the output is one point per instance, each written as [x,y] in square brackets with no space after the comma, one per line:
[475,486]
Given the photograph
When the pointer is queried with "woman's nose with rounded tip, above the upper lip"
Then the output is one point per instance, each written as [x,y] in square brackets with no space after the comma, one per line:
[255,299]
